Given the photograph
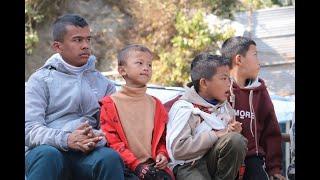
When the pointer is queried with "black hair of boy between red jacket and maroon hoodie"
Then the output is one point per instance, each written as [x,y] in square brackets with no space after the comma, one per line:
[205,65]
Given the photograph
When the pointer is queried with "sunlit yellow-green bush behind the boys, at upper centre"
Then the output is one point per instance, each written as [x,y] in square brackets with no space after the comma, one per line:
[175,31]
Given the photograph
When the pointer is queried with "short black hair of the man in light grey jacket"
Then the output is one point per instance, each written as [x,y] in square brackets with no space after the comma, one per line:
[59,26]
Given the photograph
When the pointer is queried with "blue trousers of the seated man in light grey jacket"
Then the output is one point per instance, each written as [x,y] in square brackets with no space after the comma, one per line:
[48,163]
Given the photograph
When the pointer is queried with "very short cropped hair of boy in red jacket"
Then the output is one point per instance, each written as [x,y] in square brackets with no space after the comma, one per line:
[123,53]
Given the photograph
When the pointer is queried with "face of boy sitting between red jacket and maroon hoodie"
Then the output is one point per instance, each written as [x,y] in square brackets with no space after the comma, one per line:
[219,84]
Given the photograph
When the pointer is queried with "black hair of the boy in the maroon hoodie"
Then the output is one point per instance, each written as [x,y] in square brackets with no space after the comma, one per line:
[236,45]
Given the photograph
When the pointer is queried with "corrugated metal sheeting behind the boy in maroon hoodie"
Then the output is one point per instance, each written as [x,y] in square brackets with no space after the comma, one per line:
[273,30]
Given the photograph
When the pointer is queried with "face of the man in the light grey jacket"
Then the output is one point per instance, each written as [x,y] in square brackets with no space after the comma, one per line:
[75,48]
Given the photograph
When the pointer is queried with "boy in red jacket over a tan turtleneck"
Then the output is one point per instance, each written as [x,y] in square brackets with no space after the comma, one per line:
[133,121]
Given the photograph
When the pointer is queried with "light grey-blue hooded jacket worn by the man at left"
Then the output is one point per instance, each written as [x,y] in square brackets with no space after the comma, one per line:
[58,100]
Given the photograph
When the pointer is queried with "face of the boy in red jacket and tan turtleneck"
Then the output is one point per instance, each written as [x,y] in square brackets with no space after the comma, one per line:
[137,69]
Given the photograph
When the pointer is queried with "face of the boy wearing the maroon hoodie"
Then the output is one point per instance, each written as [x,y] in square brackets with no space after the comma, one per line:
[250,65]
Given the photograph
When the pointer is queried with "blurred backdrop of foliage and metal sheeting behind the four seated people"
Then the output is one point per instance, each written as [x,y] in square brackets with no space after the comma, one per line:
[175,30]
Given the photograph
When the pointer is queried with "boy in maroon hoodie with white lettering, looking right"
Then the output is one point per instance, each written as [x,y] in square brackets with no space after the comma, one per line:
[254,109]
